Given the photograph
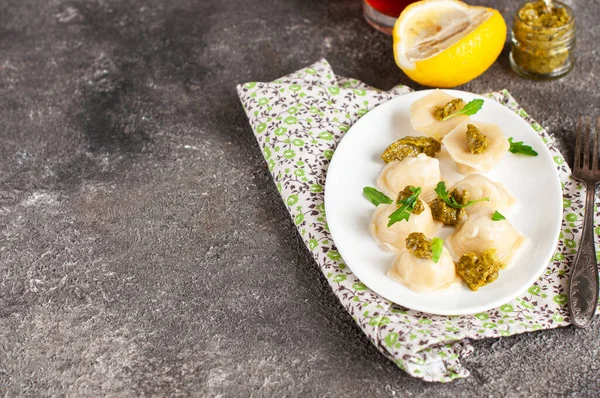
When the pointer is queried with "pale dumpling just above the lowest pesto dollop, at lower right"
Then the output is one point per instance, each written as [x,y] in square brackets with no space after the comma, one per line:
[480,233]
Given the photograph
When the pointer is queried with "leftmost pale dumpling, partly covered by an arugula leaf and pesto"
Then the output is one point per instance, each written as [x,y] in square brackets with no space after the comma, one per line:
[394,238]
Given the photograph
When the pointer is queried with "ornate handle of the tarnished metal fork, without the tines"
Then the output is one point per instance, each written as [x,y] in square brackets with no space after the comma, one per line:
[583,286]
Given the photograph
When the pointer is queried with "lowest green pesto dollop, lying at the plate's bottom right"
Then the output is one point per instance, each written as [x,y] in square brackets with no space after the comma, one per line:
[478,270]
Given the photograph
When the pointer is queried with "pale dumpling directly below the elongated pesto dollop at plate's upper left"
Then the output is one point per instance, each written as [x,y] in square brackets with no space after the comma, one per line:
[421,171]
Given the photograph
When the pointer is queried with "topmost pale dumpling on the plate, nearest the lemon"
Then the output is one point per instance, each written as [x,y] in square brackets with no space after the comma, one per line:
[421,115]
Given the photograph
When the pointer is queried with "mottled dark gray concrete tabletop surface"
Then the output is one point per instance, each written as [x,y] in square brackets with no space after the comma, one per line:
[144,250]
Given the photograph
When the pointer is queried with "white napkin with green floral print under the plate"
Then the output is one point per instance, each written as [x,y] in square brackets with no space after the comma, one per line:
[298,121]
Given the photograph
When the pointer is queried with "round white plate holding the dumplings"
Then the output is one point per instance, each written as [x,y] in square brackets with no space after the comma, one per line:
[532,180]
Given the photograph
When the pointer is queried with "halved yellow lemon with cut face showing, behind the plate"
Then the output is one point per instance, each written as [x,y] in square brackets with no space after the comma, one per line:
[446,43]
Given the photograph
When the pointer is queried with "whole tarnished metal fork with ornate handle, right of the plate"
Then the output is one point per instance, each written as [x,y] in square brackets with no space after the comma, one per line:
[583,286]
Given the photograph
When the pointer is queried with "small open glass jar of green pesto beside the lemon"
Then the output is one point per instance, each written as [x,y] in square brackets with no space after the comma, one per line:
[543,40]
